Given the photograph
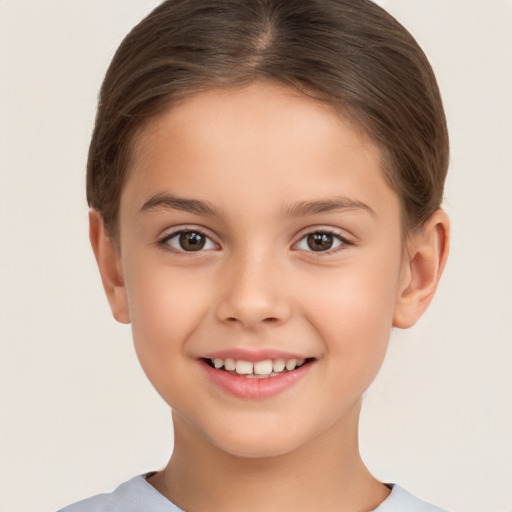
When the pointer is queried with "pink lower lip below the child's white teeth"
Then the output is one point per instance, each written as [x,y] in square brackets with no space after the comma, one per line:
[254,388]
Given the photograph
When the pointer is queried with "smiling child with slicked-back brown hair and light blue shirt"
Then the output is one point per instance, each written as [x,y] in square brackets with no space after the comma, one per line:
[265,180]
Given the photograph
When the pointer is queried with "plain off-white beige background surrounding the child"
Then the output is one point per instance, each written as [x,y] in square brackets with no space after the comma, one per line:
[77,414]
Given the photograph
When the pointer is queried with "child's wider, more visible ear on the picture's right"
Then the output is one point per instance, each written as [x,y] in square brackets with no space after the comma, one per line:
[424,262]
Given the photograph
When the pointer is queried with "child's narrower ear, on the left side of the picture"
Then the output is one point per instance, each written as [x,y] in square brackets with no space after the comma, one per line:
[109,264]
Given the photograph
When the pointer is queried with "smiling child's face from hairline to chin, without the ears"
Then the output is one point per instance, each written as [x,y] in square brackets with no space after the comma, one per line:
[257,233]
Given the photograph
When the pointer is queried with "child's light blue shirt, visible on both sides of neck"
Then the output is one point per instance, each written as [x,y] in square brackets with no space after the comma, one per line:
[137,495]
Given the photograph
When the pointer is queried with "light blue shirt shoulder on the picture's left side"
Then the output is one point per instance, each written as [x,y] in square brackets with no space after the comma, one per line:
[135,495]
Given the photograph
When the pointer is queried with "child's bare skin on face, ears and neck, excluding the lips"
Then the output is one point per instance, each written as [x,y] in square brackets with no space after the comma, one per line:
[253,155]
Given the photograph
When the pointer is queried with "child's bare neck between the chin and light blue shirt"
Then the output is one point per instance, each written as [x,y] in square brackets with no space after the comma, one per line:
[326,474]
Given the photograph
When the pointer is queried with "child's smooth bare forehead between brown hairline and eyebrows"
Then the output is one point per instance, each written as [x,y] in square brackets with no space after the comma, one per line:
[262,140]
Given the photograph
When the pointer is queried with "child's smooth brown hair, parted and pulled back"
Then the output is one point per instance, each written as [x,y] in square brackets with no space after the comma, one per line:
[350,53]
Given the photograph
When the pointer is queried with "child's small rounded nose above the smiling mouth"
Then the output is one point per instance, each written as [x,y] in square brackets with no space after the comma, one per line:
[253,293]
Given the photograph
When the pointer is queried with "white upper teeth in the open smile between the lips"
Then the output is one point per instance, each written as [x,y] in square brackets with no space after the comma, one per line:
[259,369]
